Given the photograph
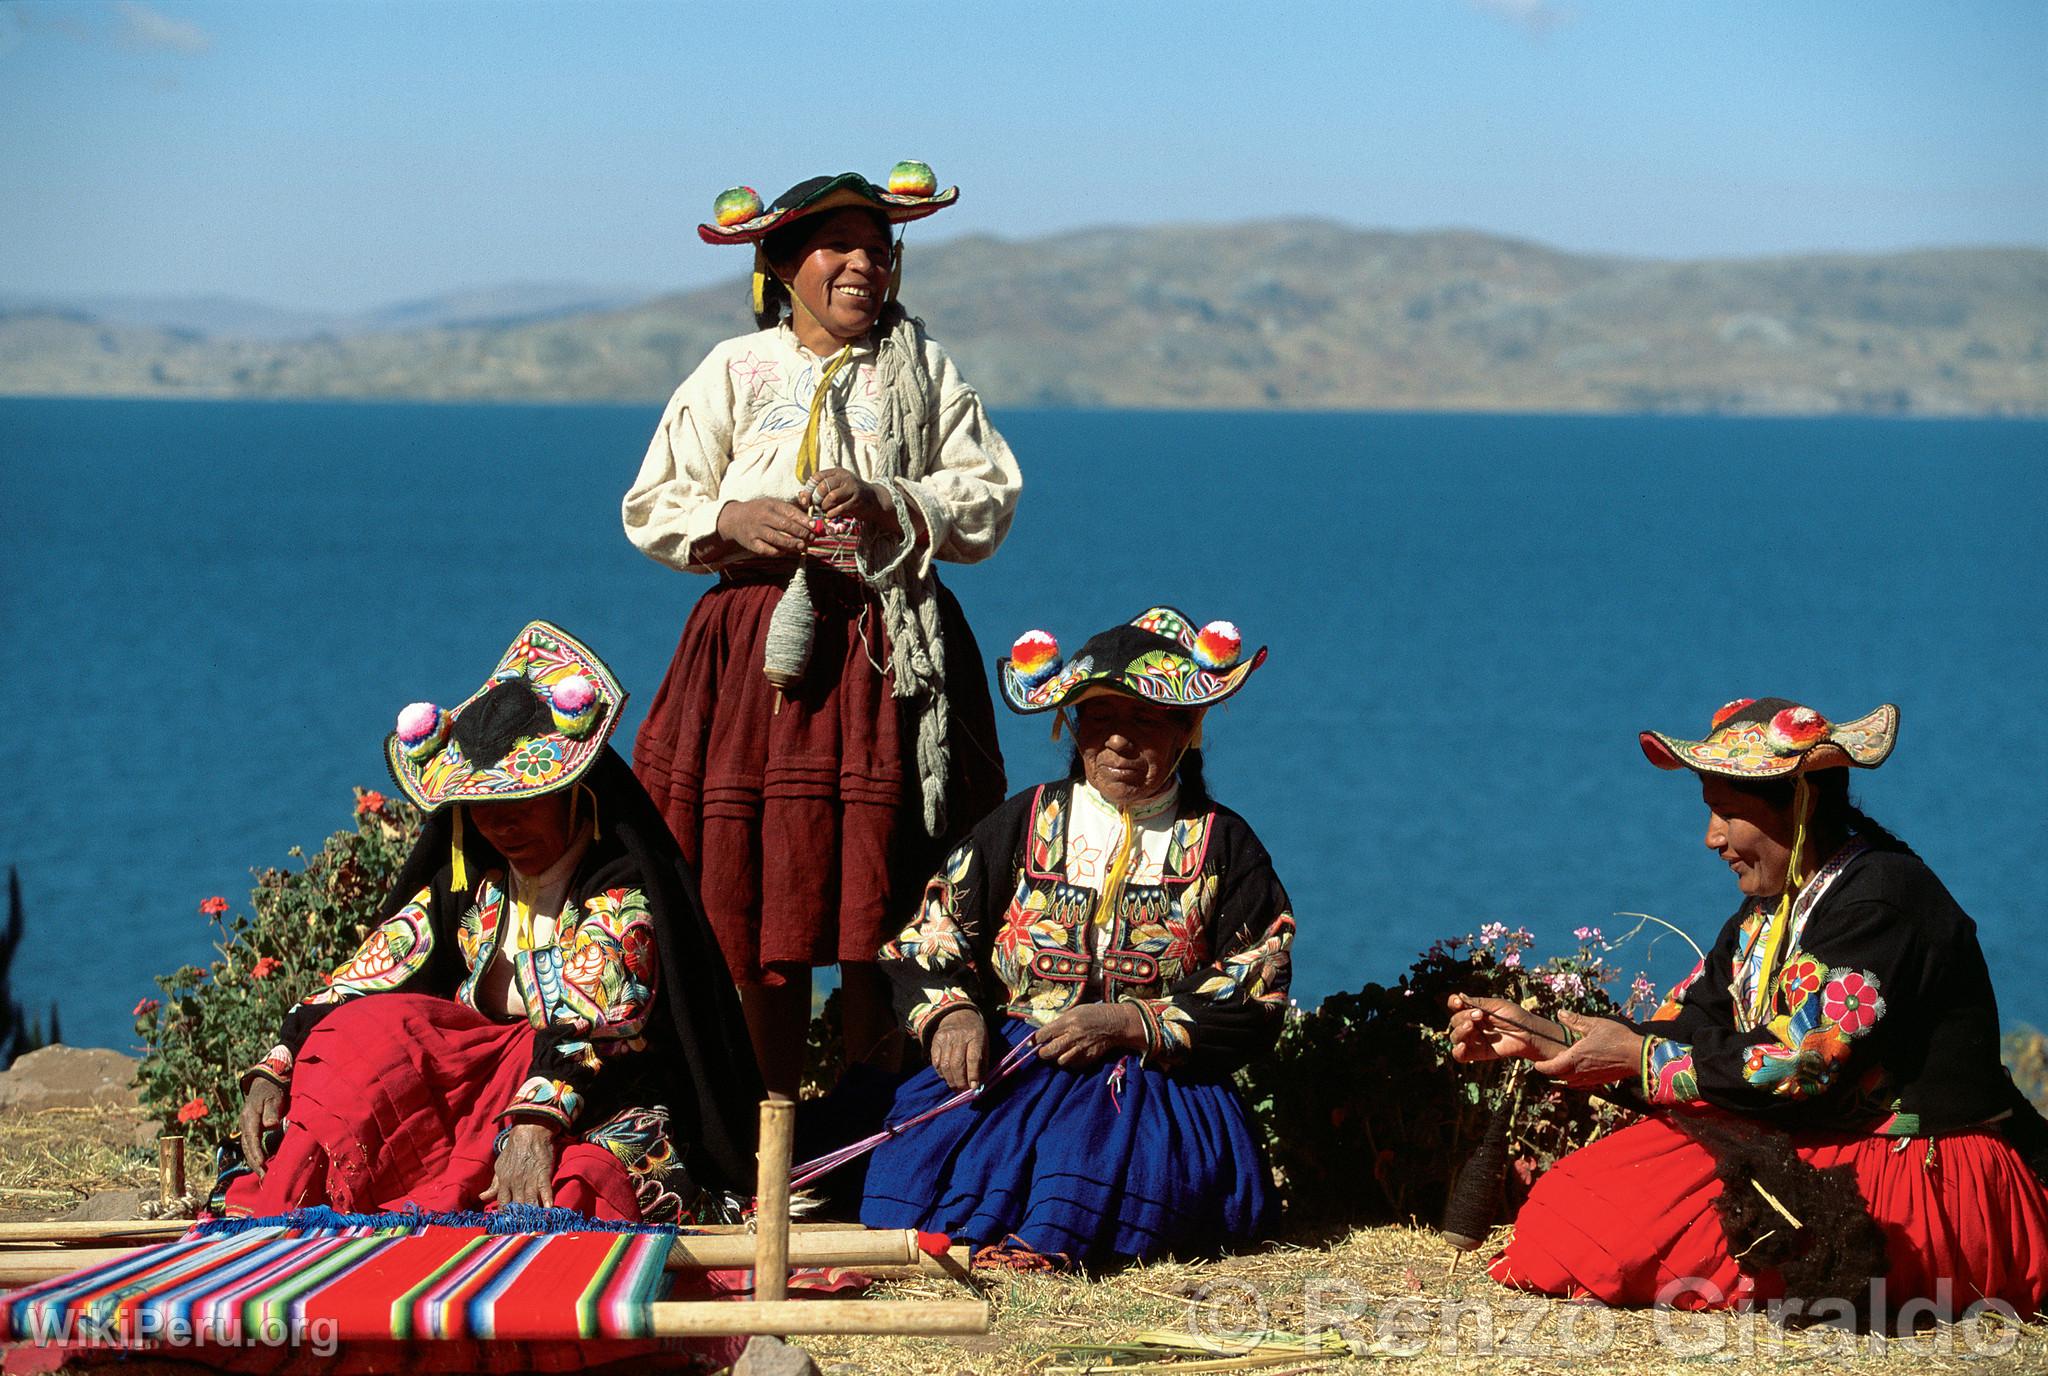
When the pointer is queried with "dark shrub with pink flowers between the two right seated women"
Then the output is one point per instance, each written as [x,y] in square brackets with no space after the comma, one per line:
[1367,1117]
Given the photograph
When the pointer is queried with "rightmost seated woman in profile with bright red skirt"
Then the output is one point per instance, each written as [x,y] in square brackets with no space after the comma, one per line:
[1830,1119]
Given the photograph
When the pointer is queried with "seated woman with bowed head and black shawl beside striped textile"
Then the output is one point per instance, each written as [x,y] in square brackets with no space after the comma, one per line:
[542,1015]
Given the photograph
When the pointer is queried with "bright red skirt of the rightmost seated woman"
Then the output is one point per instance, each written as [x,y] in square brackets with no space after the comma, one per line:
[1631,1221]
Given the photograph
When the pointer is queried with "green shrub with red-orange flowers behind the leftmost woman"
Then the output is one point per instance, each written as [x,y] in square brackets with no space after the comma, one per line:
[218,1021]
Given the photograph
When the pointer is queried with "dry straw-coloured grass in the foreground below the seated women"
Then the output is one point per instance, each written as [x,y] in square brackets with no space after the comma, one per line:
[1398,1301]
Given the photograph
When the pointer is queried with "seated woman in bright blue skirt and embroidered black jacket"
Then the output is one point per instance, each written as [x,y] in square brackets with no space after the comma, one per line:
[1136,933]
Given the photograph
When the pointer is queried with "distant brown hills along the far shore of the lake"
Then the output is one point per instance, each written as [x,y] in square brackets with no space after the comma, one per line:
[1297,314]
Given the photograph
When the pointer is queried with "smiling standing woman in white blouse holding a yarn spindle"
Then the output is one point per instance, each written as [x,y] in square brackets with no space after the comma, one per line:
[824,732]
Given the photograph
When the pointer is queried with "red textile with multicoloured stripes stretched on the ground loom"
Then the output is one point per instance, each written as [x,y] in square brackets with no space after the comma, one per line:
[359,1285]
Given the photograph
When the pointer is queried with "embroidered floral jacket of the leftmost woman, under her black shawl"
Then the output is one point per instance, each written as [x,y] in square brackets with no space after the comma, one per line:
[587,990]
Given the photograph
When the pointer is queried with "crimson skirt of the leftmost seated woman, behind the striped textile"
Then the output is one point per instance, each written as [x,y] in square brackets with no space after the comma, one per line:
[394,1107]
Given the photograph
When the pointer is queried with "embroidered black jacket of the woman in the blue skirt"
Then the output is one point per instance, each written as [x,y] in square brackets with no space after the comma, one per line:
[1201,949]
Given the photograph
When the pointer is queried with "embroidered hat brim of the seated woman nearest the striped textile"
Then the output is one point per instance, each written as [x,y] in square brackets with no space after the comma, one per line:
[544,654]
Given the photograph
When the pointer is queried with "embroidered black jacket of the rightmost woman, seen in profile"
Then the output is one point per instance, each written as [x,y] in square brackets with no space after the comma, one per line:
[1877,1013]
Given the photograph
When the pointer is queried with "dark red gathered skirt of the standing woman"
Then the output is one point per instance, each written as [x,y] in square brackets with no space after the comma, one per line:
[806,818]
